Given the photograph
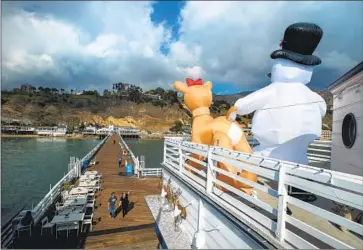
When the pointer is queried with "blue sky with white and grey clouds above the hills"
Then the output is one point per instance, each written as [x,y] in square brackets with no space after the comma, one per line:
[91,45]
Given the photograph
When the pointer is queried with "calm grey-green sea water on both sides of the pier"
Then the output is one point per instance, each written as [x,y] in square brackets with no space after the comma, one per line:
[29,166]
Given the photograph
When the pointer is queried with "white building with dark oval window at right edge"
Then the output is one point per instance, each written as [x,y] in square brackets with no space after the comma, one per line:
[347,137]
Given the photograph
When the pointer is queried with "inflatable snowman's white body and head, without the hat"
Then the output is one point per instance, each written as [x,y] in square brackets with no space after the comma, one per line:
[288,114]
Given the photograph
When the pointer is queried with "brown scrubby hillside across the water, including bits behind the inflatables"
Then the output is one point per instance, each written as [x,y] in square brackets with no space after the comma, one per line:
[47,108]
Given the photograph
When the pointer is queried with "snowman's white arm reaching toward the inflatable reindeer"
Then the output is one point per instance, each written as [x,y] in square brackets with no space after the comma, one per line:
[254,101]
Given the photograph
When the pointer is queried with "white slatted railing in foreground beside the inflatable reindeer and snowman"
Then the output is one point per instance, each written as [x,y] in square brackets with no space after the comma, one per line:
[265,213]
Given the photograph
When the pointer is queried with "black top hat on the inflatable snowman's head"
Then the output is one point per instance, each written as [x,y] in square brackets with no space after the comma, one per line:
[299,42]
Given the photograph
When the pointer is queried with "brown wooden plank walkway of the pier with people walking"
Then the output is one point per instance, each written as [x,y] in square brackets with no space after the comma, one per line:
[136,229]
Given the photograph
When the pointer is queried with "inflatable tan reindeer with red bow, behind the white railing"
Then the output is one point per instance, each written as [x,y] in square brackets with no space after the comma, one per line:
[220,131]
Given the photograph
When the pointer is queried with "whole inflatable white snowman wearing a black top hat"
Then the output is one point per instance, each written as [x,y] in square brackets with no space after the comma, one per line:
[288,115]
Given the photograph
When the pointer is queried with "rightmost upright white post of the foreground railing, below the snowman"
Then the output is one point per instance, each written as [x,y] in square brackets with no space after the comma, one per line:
[282,205]
